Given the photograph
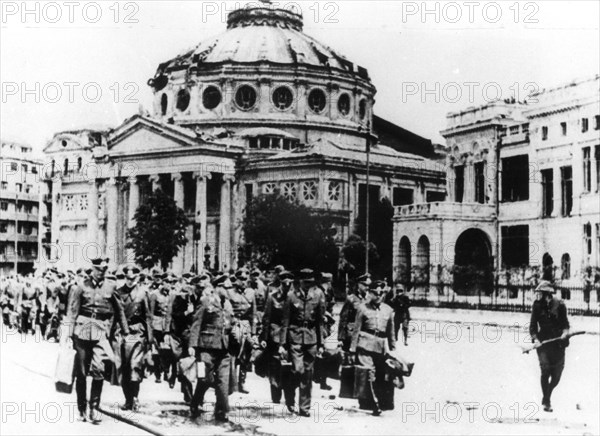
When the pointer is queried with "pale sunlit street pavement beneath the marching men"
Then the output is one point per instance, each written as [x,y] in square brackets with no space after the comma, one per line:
[468,379]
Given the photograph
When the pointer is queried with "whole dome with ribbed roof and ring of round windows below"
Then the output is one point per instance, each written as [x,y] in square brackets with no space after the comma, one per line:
[265,72]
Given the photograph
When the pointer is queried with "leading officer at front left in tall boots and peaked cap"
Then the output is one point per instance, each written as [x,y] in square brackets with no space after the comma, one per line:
[92,306]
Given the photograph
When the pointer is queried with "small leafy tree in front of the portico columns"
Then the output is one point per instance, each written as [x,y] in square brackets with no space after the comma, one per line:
[159,231]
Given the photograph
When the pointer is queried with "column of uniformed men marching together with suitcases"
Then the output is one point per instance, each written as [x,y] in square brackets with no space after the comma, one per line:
[128,325]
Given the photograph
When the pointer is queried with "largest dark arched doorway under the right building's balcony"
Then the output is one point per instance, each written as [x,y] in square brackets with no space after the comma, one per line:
[473,264]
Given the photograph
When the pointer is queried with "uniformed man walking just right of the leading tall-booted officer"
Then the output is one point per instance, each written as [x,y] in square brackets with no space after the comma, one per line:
[139,319]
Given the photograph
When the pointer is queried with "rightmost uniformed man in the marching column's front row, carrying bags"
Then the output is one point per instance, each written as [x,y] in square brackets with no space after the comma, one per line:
[373,338]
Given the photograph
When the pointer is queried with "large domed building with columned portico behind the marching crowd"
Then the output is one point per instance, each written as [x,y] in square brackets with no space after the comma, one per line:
[261,108]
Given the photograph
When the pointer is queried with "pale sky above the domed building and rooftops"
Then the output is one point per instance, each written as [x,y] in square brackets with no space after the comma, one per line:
[68,65]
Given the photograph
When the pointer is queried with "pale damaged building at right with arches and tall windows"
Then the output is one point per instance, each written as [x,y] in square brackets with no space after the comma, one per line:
[523,191]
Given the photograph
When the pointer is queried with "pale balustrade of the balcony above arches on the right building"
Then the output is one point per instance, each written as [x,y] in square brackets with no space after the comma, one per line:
[445,210]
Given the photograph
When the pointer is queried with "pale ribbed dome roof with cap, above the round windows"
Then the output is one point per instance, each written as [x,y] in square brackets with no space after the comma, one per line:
[262,35]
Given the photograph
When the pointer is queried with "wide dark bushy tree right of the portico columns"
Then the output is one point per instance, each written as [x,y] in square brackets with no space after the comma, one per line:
[278,231]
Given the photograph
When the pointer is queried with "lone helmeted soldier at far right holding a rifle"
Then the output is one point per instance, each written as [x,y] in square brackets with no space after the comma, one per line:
[549,320]
